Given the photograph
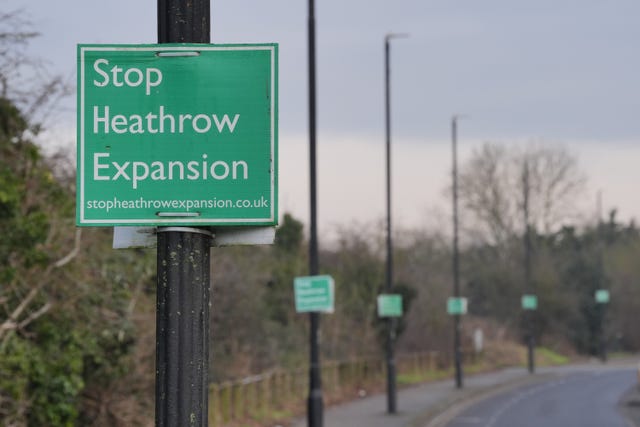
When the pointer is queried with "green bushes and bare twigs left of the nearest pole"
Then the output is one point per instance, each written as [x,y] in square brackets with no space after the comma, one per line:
[64,312]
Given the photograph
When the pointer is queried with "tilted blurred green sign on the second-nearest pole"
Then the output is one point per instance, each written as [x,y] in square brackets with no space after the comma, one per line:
[314,293]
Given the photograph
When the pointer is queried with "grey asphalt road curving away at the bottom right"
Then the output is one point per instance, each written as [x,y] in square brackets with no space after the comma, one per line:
[581,398]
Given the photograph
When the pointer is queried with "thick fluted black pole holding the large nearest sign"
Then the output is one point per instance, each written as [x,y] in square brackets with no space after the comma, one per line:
[183,269]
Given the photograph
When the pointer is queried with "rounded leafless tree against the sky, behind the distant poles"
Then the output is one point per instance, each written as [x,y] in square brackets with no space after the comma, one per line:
[492,189]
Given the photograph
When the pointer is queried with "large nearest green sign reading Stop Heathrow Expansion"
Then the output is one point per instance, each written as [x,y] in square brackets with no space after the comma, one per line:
[177,134]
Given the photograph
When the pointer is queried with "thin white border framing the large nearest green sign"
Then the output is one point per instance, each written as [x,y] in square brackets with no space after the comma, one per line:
[191,220]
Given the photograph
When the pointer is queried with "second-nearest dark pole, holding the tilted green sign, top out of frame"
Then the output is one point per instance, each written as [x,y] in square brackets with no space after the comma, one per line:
[314,403]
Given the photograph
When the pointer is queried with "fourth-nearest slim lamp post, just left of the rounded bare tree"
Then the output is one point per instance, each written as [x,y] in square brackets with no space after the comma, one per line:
[456,267]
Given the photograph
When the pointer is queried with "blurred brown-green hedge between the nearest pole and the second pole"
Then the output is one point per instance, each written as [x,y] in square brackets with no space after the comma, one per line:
[254,324]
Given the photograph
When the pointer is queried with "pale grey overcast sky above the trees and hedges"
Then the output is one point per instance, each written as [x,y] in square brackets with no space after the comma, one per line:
[559,71]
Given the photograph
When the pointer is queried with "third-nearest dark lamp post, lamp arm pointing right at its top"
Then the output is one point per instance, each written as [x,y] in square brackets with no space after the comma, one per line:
[391,364]
